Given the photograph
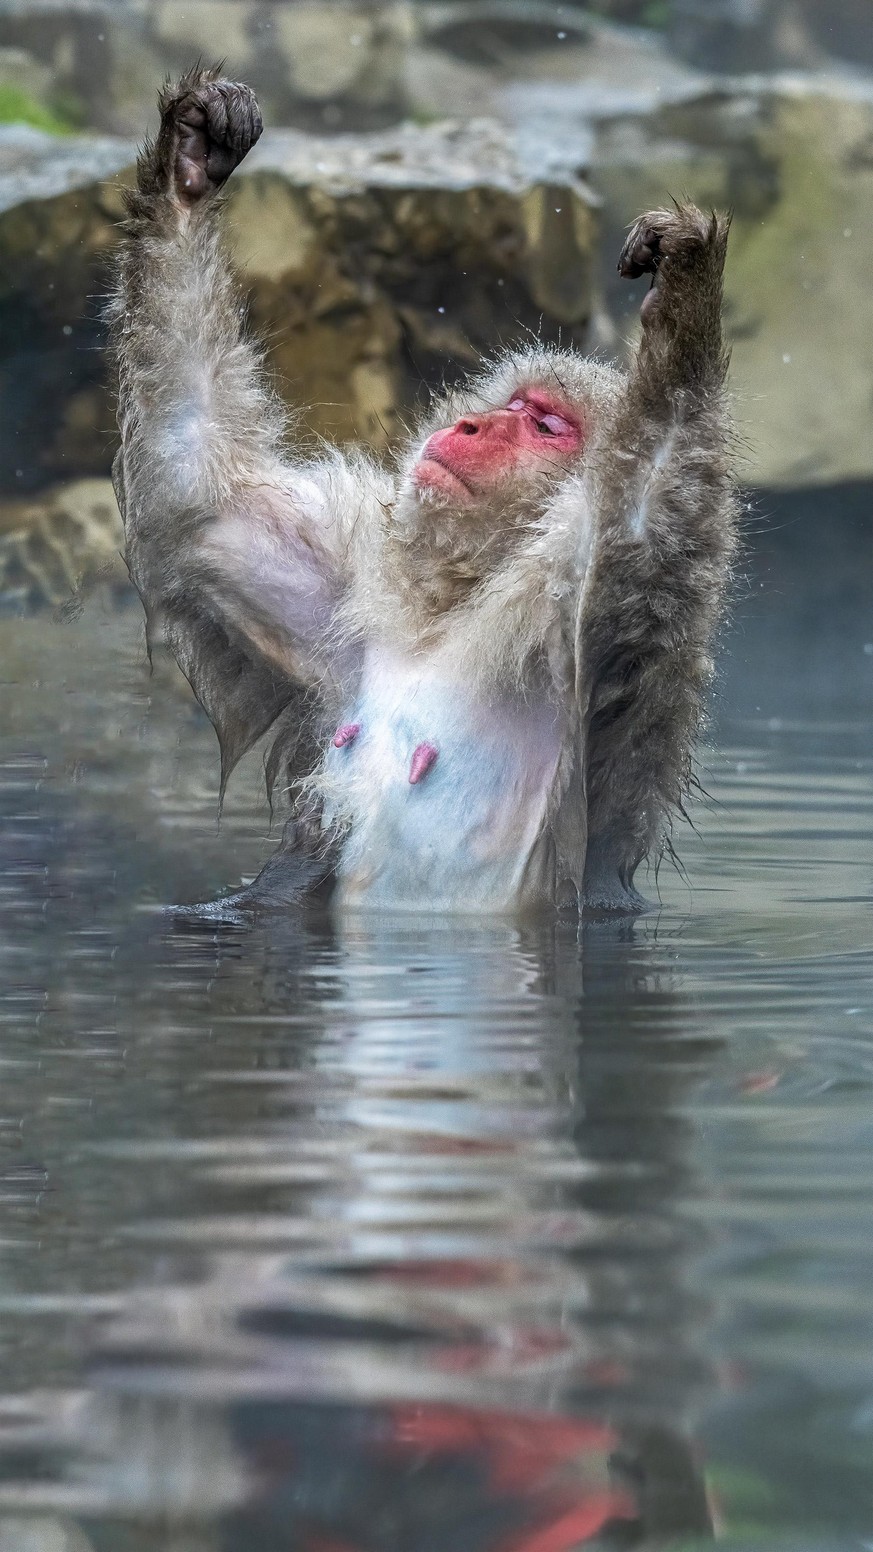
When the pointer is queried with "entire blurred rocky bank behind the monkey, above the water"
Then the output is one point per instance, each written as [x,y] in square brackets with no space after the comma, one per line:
[439,179]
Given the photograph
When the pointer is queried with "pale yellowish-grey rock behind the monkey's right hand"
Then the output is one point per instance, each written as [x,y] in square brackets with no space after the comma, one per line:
[795,161]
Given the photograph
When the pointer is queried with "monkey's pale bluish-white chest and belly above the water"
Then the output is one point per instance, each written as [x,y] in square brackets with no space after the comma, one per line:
[473,834]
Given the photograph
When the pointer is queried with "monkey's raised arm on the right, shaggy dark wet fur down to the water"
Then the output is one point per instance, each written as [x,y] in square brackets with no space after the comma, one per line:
[666,533]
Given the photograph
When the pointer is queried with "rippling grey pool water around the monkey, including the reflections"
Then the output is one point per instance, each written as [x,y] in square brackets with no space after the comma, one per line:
[425,1238]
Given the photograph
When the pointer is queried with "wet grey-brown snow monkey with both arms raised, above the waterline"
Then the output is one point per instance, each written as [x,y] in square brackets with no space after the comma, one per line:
[485,665]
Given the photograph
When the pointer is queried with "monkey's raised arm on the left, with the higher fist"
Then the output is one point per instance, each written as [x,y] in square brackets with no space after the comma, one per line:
[238,555]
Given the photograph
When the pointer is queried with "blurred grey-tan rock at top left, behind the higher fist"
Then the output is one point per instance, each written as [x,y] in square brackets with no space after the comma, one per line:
[329,64]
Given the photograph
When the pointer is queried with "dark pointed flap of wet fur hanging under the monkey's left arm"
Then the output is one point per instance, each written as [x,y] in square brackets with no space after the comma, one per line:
[240,695]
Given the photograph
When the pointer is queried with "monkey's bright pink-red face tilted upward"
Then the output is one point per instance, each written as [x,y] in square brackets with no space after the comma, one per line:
[481,452]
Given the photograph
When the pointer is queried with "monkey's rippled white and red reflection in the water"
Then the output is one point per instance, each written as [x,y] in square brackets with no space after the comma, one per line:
[457,1315]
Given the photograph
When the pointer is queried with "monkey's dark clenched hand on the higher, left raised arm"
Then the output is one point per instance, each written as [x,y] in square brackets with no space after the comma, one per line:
[207,126]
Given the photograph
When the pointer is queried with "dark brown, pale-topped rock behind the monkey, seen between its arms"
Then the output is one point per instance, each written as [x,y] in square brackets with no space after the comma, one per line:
[378,266]
